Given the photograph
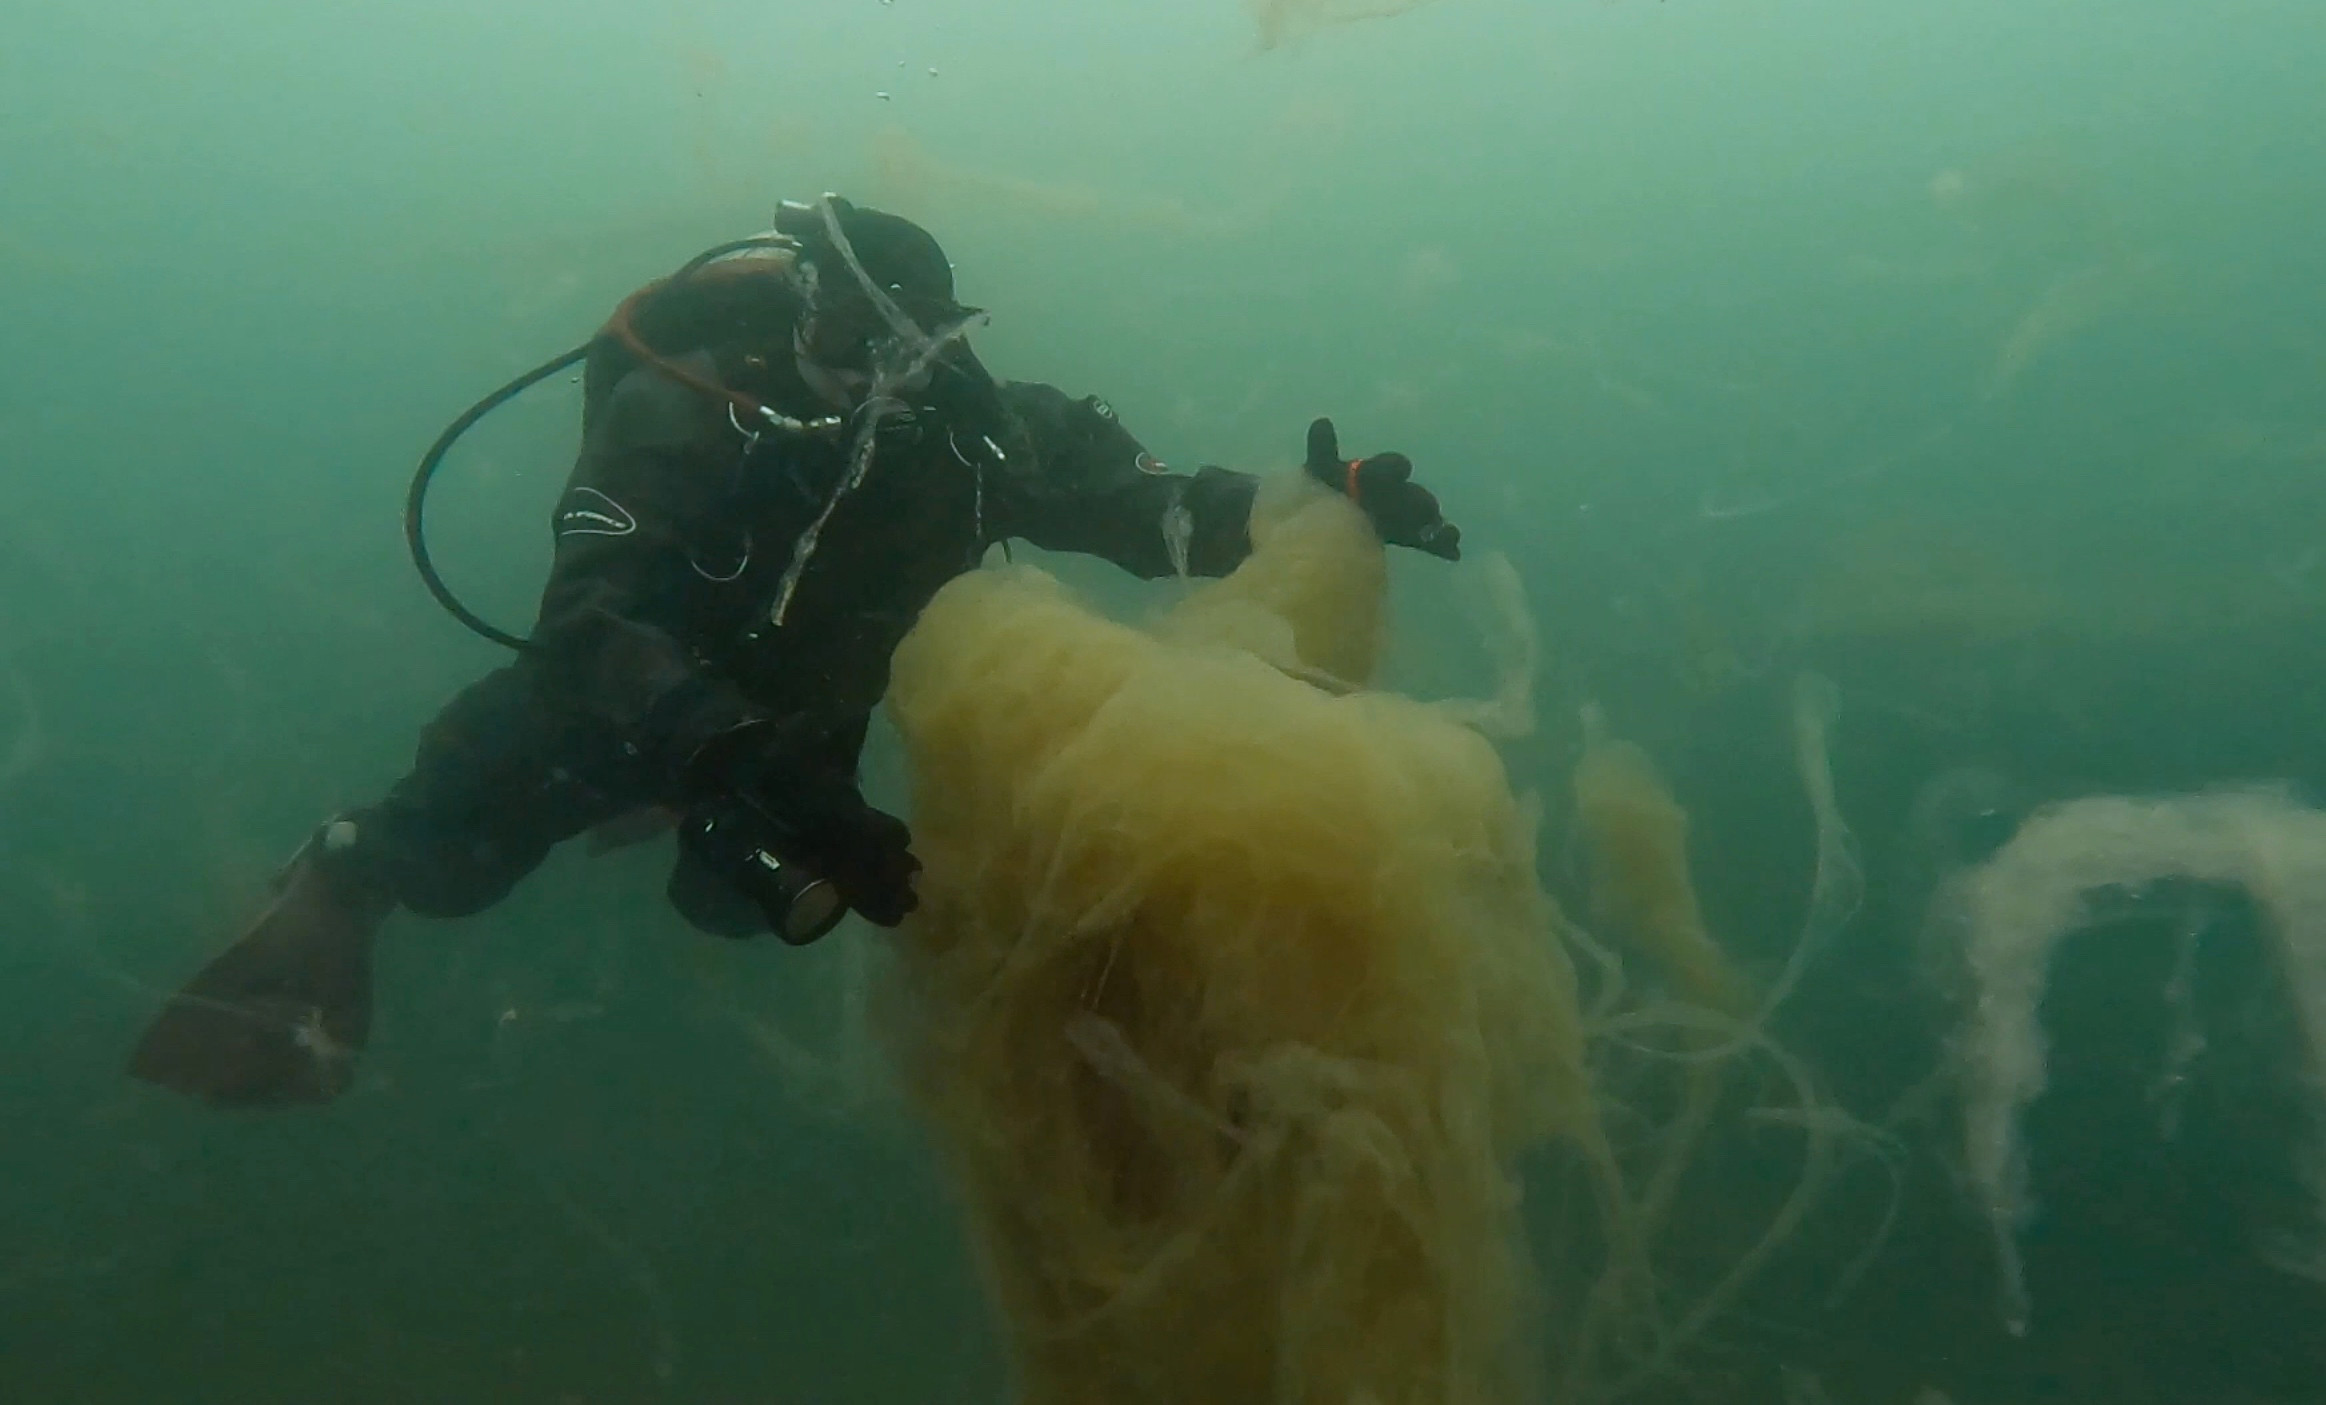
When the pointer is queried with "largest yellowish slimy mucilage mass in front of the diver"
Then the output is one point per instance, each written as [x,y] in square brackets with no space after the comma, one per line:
[1234,999]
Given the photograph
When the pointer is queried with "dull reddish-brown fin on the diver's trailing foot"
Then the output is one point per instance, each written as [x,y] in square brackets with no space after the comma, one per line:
[280,1015]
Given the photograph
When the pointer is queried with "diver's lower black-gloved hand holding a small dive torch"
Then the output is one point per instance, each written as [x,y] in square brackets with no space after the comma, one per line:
[776,820]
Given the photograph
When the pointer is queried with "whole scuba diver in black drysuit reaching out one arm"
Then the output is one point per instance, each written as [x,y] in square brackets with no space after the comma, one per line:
[787,448]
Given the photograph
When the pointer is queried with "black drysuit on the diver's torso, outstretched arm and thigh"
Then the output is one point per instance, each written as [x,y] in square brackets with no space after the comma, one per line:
[673,541]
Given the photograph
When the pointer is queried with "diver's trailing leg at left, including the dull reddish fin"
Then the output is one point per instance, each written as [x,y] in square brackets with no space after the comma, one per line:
[499,780]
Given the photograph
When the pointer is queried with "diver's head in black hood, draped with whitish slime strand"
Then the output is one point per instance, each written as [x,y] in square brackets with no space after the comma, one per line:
[878,292]
